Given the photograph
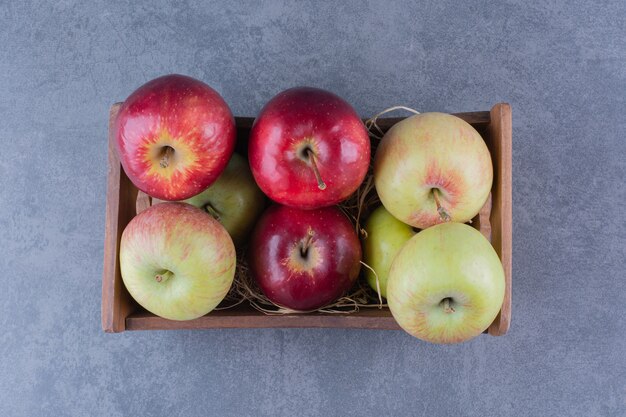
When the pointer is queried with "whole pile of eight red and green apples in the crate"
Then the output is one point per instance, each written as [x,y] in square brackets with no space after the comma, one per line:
[308,150]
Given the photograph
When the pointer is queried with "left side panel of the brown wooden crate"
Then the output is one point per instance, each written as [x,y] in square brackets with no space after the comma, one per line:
[121,195]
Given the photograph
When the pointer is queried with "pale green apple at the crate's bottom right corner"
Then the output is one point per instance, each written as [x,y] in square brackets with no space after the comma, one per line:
[446,285]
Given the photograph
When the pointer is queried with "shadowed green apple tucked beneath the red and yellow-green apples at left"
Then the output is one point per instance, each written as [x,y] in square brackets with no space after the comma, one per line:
[234,199]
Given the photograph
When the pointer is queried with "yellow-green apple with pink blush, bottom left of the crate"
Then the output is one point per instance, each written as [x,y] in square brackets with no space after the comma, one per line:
[176,261]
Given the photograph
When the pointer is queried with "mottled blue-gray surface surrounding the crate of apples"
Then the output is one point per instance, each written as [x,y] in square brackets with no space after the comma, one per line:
[562,66]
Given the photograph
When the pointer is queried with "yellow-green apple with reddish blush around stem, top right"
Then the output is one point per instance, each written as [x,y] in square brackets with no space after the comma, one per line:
[432,168]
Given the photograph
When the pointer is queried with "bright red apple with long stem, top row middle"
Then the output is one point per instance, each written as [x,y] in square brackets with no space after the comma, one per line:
[308,117]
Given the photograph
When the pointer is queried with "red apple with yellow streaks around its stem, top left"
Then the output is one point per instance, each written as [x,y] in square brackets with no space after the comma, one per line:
[186,115]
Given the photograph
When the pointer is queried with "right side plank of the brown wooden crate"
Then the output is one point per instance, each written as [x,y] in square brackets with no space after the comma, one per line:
[500,132]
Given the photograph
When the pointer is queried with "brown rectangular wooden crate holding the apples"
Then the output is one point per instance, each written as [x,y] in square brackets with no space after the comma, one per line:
[120,312]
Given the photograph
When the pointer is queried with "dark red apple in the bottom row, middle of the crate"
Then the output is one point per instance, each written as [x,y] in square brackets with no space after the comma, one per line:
[303,283]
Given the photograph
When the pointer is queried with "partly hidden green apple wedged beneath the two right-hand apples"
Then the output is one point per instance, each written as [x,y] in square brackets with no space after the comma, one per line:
[385,237]
